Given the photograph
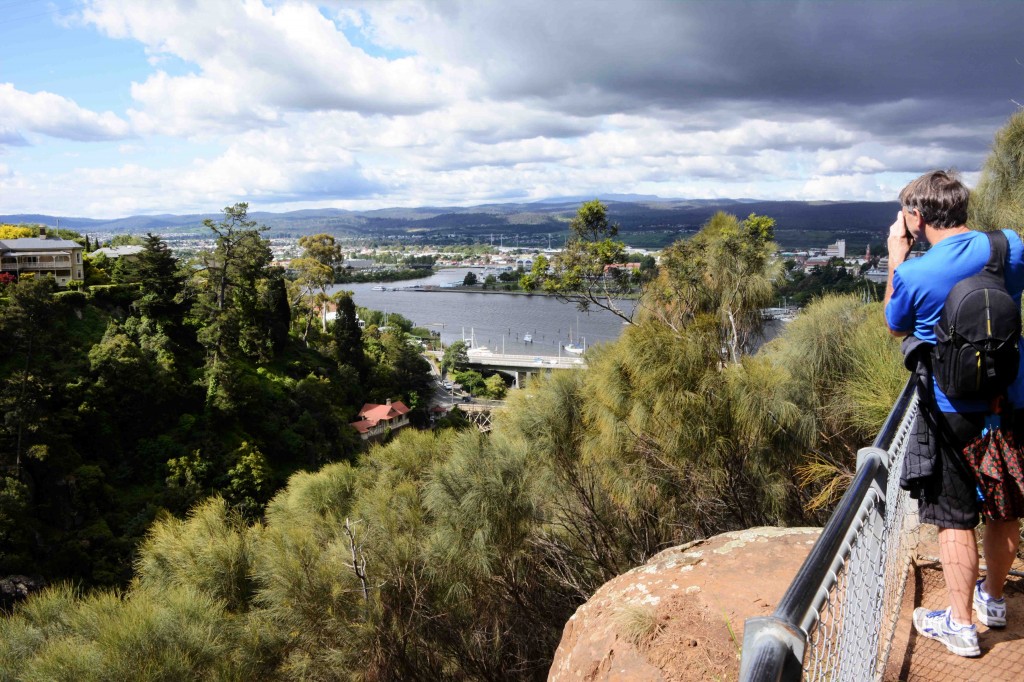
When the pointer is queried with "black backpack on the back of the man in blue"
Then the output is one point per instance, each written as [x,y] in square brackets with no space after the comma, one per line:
[976,355]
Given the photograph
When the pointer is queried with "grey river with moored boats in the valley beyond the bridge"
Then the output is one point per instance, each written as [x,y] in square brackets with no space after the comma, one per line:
[496,321]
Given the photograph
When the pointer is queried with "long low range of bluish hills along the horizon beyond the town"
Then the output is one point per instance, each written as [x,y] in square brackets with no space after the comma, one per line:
[644,221]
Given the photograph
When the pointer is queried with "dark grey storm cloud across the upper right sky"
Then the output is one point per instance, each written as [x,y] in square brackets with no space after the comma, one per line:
[890,69]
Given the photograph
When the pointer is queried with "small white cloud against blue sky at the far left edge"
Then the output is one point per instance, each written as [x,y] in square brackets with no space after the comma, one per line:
[53,115]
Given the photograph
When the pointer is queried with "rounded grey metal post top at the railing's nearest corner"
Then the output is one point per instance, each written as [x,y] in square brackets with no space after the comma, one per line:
[774,651]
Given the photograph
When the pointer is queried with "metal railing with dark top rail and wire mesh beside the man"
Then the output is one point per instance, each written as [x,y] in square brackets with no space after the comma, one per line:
[838,618]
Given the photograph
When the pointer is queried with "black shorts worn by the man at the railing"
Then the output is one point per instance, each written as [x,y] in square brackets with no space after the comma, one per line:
[954,502]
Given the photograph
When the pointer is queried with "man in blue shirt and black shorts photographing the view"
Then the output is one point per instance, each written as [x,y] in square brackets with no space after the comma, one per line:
[934,210]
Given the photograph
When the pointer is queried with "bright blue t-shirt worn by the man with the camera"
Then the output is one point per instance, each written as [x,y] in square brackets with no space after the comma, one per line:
[920,290]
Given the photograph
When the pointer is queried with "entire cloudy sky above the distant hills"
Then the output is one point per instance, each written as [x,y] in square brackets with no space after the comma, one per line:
[112,108]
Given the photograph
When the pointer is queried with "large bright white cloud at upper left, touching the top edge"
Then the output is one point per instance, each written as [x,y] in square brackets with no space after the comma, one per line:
[254,62]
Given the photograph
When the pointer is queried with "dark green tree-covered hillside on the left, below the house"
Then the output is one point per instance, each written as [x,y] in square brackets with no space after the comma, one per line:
[172,382]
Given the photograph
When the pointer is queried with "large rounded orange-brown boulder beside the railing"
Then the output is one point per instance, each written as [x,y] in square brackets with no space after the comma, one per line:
[680,617]
